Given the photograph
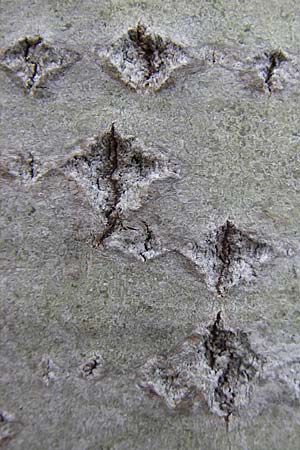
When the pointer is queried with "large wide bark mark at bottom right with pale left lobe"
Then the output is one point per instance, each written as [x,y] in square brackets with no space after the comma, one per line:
[215,365]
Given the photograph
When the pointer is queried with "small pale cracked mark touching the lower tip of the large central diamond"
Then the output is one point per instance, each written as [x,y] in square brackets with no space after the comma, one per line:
[136,239]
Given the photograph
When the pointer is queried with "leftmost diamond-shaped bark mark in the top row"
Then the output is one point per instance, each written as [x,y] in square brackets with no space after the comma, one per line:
[32,60]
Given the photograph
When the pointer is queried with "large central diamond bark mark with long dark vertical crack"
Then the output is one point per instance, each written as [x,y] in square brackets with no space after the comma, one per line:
[116,175]
